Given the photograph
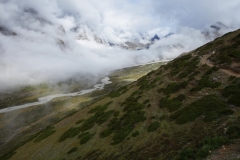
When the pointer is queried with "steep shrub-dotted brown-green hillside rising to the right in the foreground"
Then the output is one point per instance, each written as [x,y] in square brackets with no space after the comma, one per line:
[187,109]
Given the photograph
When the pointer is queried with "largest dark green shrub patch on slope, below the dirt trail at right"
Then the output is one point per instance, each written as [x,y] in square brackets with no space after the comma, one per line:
[211,107]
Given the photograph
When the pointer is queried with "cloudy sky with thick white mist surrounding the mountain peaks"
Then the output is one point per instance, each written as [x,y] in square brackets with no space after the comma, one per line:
[34,55]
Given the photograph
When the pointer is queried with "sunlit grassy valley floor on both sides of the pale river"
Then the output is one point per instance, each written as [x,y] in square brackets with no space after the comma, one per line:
[19,126]
